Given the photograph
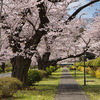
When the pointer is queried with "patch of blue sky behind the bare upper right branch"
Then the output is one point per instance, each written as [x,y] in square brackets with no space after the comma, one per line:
[89,11]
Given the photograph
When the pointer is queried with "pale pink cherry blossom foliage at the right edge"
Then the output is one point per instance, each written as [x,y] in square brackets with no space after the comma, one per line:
[93,32]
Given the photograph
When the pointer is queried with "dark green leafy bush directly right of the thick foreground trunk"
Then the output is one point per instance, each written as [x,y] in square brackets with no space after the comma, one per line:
[33,76]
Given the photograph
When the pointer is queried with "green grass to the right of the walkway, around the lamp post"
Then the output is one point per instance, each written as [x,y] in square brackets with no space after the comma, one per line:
[92,87]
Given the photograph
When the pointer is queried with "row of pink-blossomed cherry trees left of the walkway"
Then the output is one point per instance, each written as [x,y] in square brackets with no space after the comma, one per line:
[27,25]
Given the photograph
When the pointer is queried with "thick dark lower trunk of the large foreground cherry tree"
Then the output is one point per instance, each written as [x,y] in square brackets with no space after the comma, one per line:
[20,68]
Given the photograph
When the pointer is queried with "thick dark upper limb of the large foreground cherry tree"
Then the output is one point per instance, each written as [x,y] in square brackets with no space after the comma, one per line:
[35,39]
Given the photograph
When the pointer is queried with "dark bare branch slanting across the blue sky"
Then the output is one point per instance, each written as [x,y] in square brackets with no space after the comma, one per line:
[79,9]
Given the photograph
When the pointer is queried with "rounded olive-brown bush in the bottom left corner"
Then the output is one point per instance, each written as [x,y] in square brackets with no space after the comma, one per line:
[8,86]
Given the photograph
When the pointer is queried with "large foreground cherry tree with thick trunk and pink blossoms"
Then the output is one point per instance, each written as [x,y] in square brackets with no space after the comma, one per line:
[26,22]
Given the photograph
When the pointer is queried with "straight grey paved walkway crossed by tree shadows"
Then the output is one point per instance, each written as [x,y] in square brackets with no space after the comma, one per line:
[69,89]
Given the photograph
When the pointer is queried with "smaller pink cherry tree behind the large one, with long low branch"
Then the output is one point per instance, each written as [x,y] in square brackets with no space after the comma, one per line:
[60,45]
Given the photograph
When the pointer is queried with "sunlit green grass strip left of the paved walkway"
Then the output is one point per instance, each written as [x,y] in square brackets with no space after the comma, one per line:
[44,90]
